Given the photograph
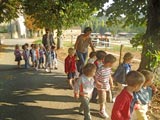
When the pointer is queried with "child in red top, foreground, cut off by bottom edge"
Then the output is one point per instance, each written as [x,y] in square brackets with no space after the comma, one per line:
[121,108]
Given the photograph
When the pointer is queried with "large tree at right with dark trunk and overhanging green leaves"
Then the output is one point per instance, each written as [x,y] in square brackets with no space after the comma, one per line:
[137,13]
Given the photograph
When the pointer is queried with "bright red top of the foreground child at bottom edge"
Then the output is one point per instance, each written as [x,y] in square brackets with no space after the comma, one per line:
[121,108]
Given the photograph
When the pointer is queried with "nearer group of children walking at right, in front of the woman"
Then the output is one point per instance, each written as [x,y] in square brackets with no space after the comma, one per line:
[97,81]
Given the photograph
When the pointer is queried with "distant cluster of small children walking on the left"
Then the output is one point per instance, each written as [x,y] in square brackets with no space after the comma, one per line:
[37,56]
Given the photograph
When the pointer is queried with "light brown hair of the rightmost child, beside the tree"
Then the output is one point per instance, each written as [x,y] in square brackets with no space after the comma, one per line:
[148,75]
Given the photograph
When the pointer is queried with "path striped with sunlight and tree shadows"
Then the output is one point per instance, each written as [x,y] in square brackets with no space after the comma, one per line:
[31,95]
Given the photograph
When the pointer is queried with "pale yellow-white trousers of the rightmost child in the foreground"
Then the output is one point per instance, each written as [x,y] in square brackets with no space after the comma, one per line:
[141,113]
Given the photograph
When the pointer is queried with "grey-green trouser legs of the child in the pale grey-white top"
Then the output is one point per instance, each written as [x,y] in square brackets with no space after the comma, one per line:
[85,106]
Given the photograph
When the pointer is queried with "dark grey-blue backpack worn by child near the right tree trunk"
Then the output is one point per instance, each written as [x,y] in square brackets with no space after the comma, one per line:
[120,74]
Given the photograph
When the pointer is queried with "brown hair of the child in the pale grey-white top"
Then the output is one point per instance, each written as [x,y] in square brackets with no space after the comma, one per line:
[87,69]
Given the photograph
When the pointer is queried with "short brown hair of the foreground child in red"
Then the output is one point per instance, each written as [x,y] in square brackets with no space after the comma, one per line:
[134,78]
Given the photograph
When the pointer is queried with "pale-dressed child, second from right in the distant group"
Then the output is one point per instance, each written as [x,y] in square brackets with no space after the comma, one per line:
[48,59]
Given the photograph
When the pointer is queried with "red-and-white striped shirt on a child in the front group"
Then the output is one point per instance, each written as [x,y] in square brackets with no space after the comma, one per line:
[103,76]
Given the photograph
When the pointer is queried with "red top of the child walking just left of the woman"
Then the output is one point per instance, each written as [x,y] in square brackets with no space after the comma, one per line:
[70,64]
